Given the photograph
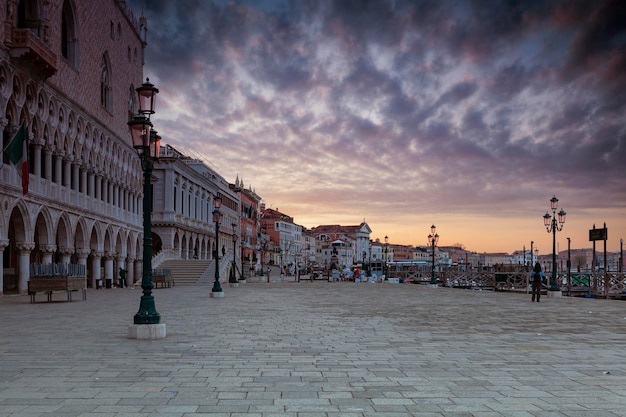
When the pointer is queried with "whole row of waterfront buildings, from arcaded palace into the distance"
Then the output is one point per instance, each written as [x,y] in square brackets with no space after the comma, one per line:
[68,74]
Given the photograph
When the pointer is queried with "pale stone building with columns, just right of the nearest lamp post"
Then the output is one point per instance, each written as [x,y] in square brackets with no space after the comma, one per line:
[184,190]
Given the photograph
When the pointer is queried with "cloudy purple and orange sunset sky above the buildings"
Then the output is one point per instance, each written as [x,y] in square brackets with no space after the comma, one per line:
[469,115]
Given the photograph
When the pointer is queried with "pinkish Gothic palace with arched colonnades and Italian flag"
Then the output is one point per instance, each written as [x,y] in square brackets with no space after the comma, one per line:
[68,73]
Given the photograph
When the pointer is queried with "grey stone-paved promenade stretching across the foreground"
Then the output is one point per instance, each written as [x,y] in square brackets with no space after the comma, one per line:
[314,349]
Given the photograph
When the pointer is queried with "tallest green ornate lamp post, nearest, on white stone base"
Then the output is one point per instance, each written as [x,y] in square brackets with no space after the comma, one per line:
[147,143]
